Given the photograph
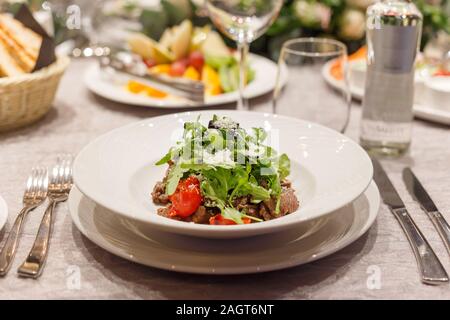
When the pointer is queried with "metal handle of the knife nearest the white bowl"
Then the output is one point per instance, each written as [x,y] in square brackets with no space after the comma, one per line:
[431,269]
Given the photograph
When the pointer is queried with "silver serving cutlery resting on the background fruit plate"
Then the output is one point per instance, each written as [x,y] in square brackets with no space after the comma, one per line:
[133,66]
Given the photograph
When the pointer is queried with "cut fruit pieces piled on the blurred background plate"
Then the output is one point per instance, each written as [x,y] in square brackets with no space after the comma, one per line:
[185,51]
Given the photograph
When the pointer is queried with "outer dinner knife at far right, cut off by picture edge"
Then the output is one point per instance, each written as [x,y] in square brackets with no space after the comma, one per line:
[419,194]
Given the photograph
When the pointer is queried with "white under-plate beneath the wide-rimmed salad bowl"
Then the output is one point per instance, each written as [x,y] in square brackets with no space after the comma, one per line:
[256,254]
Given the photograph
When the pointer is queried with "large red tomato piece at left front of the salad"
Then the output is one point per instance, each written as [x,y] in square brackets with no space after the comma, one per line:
[187,198]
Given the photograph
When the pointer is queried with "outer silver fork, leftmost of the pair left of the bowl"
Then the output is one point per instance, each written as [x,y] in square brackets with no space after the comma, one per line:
[34,195]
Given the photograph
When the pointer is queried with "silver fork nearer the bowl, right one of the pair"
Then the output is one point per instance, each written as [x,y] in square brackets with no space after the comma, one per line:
[58,191]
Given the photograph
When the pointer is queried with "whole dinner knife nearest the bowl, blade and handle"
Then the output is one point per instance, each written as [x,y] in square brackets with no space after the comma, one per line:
[431,269]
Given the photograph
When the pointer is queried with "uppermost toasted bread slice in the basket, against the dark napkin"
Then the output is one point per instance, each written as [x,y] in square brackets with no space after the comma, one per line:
[28,40]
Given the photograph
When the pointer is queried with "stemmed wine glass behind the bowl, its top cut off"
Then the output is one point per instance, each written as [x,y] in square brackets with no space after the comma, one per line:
[243,21]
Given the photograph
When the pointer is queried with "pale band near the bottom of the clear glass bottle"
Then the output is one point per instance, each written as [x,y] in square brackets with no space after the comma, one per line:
[393,132]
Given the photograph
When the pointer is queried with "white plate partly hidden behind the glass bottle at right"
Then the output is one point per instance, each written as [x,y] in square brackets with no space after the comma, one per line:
[420,110]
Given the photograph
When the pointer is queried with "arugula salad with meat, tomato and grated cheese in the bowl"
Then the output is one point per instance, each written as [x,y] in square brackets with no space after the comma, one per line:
[221,174]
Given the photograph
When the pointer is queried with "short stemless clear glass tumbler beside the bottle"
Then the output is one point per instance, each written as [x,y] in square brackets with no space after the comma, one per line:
[301,88]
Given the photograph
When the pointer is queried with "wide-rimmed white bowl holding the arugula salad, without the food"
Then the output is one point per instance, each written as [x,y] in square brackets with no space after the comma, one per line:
[328,170]
